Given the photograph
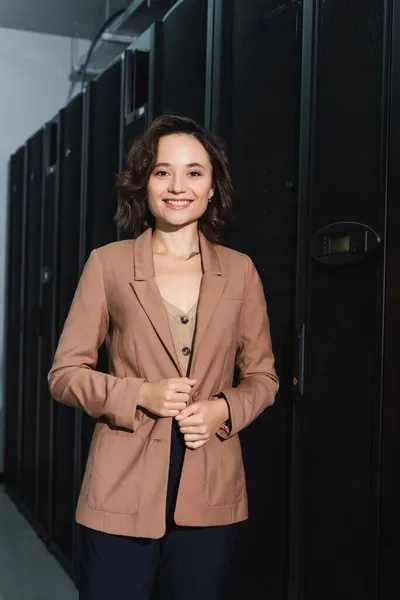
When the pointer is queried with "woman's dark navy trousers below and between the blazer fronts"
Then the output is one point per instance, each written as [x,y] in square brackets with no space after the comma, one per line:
[191,562]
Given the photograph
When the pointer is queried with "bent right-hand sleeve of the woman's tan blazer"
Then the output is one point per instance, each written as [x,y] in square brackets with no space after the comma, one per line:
[258,379]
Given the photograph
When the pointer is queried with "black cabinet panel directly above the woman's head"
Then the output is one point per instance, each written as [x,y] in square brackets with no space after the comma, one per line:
[182,60]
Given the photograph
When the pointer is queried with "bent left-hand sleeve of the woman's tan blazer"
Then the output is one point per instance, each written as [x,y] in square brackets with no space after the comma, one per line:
[72,378]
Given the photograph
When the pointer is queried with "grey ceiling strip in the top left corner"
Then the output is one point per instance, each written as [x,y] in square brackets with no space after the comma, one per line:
[58,17]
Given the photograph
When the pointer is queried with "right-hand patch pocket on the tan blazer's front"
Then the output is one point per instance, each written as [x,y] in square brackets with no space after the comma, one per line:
[225,479]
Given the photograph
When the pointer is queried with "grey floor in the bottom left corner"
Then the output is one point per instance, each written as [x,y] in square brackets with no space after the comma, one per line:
[27,570]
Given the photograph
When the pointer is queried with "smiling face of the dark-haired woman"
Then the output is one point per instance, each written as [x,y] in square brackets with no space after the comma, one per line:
[180,185]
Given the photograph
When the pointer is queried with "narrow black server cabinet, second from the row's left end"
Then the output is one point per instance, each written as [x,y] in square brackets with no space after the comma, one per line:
[31,275]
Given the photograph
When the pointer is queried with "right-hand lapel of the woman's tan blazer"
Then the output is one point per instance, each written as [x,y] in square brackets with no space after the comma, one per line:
[212,287]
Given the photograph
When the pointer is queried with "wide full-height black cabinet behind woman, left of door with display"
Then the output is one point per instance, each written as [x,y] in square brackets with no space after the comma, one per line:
[253,85]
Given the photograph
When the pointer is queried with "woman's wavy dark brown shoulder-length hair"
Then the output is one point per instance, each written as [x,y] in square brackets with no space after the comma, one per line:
[133,213]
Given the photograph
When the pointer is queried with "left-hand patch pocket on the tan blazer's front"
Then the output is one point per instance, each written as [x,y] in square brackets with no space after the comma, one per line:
[116,473]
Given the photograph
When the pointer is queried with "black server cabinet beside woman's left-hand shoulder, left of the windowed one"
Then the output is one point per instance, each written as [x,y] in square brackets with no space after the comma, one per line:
[100,163]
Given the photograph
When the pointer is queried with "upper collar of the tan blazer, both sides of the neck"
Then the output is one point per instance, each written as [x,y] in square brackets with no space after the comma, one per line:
[143,256]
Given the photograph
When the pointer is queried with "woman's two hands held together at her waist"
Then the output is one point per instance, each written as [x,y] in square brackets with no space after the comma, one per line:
[169,398]
